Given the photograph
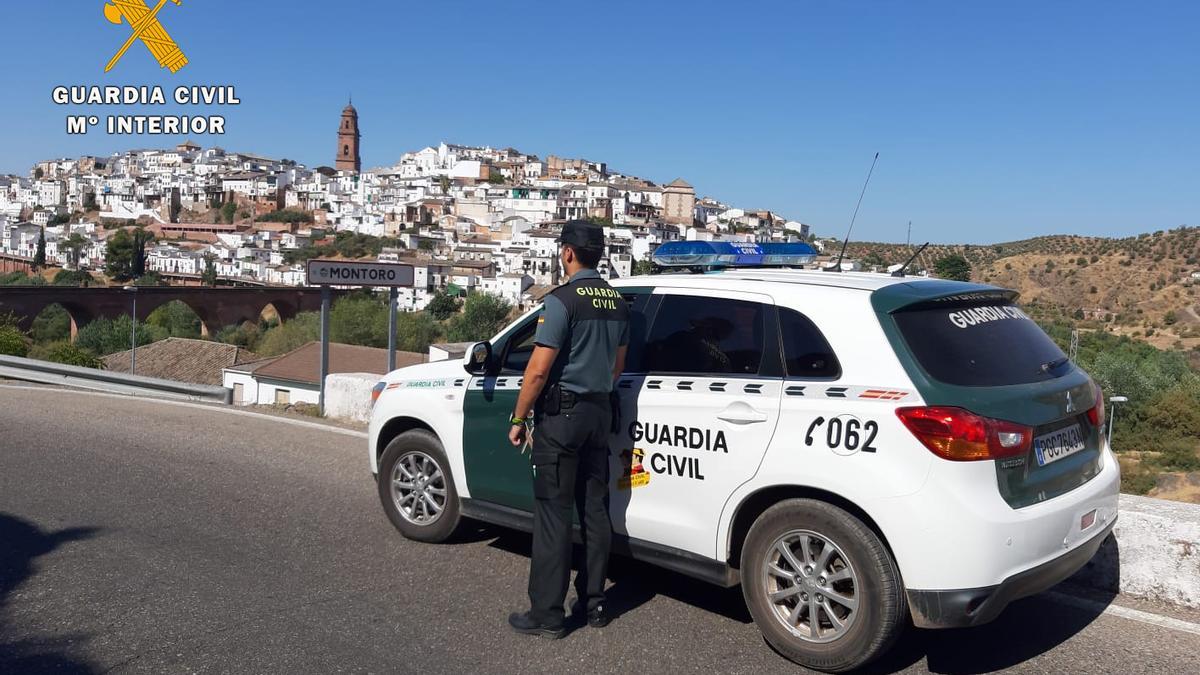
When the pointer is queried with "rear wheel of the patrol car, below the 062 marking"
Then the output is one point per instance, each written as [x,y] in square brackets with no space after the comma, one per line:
[847,565]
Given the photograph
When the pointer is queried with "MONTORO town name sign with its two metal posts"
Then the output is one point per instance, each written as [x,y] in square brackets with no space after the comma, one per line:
[362,274]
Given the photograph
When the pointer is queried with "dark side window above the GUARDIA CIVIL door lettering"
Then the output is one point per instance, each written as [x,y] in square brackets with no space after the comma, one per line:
[706,336]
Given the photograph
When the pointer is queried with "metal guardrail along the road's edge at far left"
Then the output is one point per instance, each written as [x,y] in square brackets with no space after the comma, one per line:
[32,371]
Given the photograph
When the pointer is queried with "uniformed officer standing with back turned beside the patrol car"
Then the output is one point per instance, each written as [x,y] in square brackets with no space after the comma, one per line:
[580,349]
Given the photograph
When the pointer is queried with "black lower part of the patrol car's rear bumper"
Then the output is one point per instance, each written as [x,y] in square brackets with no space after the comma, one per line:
[974,607]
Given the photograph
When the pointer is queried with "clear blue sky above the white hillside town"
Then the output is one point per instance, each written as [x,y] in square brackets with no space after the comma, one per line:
[994,121]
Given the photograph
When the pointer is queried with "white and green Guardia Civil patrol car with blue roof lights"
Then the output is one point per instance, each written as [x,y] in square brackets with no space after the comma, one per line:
[857,451]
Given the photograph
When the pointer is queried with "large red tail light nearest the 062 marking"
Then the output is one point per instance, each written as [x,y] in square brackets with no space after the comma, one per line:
[961,435]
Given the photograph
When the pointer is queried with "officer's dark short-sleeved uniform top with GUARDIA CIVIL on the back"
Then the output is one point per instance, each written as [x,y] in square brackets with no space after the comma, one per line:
[586,320]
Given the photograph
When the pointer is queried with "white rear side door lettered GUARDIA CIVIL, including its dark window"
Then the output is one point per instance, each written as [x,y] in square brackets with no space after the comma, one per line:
[699,417]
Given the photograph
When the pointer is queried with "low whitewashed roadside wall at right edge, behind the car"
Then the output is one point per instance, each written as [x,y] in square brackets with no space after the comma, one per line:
[1154,553]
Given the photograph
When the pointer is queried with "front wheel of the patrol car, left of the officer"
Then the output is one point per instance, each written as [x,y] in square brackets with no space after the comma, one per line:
[417,488]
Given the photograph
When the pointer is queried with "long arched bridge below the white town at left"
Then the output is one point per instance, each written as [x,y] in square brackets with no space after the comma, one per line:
[217,308]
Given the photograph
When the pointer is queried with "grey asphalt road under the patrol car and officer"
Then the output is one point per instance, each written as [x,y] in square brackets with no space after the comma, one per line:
[143,537]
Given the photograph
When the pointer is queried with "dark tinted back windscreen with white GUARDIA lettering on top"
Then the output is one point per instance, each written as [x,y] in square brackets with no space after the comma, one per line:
[980,344]
